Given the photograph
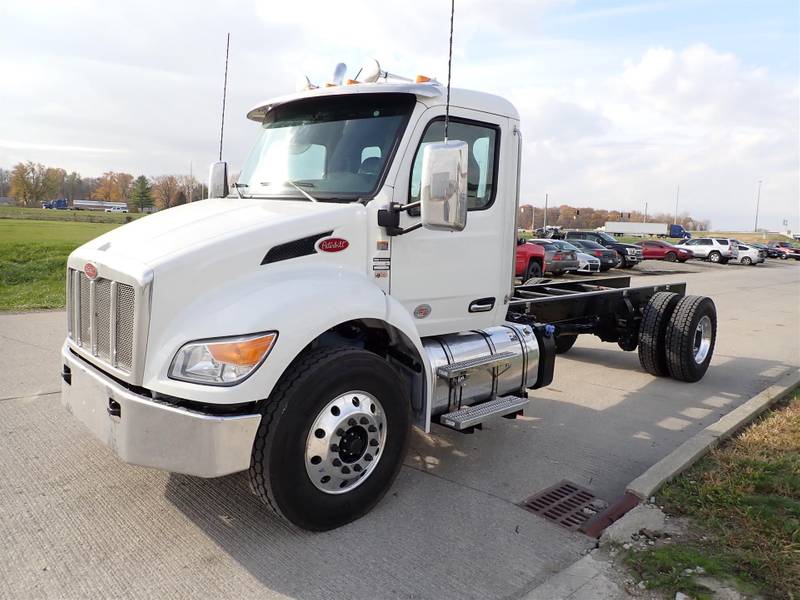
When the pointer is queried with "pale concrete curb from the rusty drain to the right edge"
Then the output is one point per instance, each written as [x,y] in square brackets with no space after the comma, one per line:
[685,455]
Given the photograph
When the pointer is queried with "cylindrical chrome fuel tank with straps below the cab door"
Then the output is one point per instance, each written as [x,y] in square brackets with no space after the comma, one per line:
[482,384]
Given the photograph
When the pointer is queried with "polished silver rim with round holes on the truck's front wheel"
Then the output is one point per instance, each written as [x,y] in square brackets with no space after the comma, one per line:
[345,442]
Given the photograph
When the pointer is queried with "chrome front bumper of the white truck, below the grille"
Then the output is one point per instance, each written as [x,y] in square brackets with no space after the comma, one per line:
[151,434]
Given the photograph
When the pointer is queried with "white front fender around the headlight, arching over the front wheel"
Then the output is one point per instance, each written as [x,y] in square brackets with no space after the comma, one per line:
[300,304]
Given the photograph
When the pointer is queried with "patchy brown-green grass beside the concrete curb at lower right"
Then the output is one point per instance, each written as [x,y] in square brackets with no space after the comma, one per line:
[743,505]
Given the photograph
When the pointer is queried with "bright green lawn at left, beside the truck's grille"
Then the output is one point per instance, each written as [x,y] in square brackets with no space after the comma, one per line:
[33,260]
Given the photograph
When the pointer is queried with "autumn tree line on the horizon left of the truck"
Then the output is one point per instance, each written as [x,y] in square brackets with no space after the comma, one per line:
[30,184]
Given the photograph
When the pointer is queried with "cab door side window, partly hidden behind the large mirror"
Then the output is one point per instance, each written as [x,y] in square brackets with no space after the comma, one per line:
[481,168]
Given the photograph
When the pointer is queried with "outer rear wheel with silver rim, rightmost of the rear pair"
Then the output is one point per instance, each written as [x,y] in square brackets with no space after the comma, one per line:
[690,338]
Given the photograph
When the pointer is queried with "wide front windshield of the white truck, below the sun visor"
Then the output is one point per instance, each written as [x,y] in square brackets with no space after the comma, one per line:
[334,147]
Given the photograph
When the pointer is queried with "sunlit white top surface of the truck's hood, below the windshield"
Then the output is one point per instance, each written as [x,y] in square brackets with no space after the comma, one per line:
[182,229]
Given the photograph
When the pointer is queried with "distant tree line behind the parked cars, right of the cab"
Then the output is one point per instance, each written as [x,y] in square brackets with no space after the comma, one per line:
[584,217]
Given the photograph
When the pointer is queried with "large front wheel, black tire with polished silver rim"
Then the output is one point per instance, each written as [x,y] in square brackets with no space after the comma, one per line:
[332,438]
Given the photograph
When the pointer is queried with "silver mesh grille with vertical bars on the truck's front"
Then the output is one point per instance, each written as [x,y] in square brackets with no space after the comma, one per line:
[101,318]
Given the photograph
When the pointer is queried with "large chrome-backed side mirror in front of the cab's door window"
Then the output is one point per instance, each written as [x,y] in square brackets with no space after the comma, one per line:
[443,193]
